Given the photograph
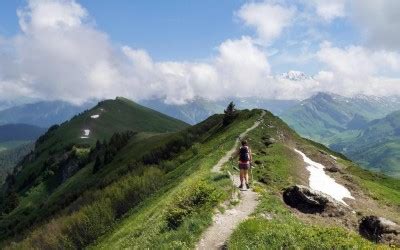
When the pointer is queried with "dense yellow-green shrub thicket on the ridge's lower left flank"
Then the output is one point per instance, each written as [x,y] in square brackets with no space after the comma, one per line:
[85,225]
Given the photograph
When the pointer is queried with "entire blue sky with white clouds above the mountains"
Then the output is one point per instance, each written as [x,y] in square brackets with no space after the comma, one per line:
[75,50]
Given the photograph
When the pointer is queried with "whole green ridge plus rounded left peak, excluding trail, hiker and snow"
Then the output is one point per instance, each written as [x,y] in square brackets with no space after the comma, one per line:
[123,176]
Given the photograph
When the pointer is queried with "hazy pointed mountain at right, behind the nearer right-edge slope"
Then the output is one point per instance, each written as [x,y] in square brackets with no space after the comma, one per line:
[327,118]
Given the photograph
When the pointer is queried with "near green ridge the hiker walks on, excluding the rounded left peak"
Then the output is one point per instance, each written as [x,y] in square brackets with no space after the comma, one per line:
[161,191]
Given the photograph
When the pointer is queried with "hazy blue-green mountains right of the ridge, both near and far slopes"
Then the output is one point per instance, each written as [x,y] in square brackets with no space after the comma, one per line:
[362,127]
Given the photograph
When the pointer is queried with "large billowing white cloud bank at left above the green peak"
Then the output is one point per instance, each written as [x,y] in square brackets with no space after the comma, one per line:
[59,55]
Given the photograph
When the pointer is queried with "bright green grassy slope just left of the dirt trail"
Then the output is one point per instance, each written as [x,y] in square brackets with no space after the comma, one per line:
[147,226]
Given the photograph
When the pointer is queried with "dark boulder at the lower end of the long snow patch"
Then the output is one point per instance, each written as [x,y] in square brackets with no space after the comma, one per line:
[307,200]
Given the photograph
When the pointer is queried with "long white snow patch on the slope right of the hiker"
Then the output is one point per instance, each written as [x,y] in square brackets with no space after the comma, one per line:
[322,182]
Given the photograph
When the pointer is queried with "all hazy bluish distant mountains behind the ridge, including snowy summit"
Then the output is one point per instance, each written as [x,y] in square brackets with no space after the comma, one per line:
[331,119]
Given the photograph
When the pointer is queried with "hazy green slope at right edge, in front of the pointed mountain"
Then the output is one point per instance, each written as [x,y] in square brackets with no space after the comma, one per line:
[377,146]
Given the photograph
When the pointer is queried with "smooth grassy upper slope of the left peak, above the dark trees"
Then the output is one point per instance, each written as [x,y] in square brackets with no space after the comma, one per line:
[115,116]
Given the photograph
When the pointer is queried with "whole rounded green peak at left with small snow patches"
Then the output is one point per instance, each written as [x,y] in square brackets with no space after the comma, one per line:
[41,182]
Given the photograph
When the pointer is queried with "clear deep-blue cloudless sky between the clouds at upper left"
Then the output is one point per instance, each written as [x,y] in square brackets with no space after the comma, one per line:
[169,30]
